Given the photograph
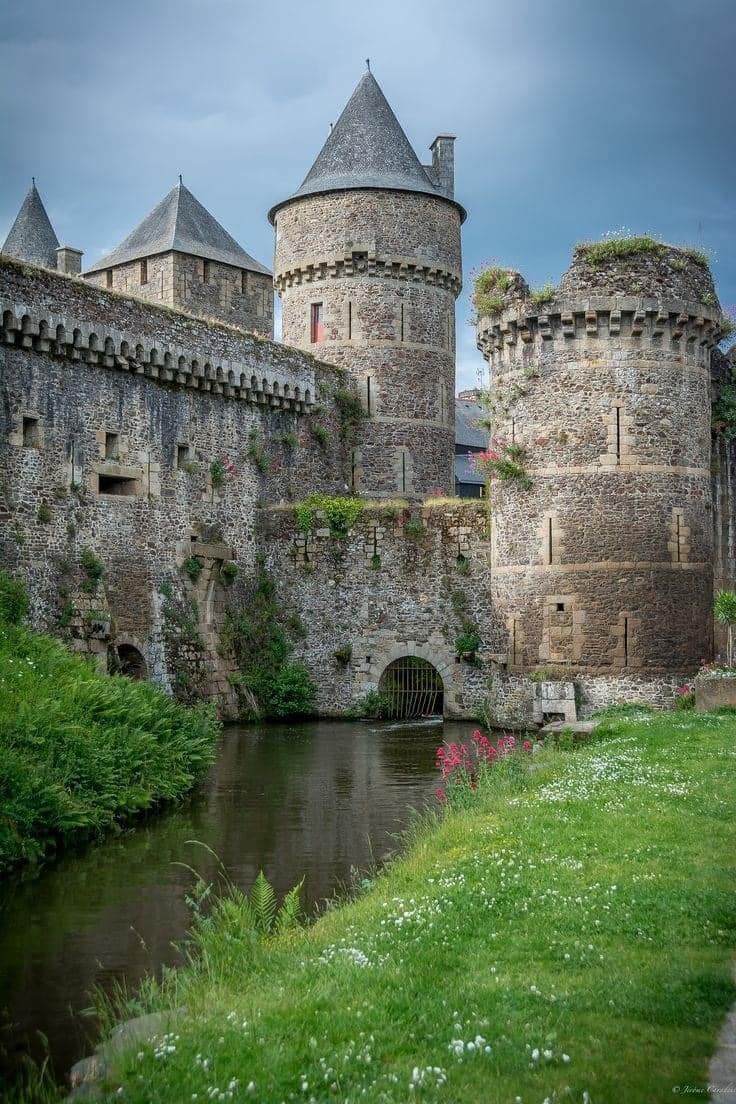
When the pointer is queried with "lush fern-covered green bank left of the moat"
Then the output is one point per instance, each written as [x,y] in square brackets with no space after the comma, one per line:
[81,752]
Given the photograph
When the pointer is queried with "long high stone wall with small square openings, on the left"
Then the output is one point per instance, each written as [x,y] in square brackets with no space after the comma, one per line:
[113,416]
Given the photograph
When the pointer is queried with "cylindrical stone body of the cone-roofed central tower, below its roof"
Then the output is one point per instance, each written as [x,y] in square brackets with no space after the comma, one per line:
[387,269]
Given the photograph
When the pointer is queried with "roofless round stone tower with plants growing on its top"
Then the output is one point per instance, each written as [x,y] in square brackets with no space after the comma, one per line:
[603,536]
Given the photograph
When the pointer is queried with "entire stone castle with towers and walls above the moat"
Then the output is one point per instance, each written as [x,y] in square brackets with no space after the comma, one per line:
[151,422]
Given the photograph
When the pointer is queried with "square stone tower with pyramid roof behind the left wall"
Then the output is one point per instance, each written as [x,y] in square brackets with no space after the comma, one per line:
[180,256]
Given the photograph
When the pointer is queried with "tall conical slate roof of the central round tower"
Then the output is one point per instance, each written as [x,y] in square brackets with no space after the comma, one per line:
[367,148]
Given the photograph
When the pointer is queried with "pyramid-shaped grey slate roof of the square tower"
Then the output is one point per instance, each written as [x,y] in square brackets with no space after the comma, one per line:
[180,224]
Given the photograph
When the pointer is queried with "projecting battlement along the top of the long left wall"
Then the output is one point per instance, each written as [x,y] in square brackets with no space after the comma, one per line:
[63,317]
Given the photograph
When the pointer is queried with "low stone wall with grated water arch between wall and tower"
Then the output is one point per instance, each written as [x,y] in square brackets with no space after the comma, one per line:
[412,601]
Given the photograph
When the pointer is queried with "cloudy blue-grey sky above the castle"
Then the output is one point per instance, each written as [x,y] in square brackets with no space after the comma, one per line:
[574,118]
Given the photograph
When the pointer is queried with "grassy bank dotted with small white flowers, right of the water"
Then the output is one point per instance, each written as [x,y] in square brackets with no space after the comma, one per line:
[568,937]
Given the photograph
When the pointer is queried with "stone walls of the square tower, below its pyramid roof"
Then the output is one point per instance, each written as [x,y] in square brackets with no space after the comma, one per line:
[230,295]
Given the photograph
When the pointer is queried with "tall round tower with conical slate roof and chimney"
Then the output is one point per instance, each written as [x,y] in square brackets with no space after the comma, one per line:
[368,267]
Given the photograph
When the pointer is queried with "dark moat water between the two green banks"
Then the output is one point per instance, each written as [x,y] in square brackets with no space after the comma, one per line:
[312,801]
